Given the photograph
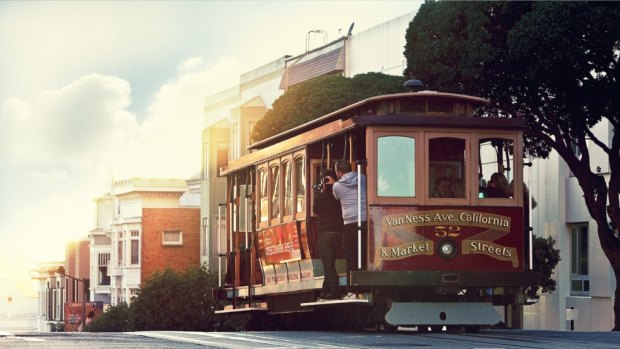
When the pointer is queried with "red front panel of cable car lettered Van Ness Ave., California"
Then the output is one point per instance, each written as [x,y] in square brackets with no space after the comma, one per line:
[409,238]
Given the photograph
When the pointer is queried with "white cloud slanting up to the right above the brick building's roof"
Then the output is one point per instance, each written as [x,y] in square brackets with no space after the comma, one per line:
[168,141]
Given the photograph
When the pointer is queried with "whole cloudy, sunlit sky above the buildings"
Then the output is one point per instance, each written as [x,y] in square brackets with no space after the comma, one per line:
[95,91]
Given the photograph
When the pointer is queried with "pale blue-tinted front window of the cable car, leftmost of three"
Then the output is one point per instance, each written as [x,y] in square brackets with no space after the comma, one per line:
[396,166]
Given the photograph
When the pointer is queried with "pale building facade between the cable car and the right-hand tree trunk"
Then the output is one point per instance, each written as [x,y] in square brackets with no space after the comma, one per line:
[585,281]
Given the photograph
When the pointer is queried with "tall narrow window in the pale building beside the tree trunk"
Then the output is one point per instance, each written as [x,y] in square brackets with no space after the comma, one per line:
[579,278]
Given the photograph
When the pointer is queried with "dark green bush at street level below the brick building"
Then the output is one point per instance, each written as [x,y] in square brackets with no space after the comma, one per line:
[172,301]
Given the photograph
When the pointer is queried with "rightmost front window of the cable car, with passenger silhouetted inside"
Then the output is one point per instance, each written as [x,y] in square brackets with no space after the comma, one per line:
[495,168]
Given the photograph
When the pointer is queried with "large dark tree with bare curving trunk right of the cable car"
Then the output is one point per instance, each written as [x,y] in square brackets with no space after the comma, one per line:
[552,63]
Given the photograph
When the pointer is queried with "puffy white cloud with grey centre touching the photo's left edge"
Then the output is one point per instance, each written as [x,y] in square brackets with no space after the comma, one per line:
[75,125]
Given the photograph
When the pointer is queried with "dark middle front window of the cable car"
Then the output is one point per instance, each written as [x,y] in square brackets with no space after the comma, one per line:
[446,177]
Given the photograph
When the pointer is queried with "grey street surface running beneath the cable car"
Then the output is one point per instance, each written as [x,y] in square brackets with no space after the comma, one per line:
[268,340]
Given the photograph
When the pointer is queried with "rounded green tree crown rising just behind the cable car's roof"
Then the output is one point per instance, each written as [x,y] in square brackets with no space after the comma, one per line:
[319,96]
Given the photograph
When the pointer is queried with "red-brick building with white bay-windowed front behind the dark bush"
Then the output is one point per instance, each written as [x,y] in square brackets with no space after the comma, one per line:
[155,226]
